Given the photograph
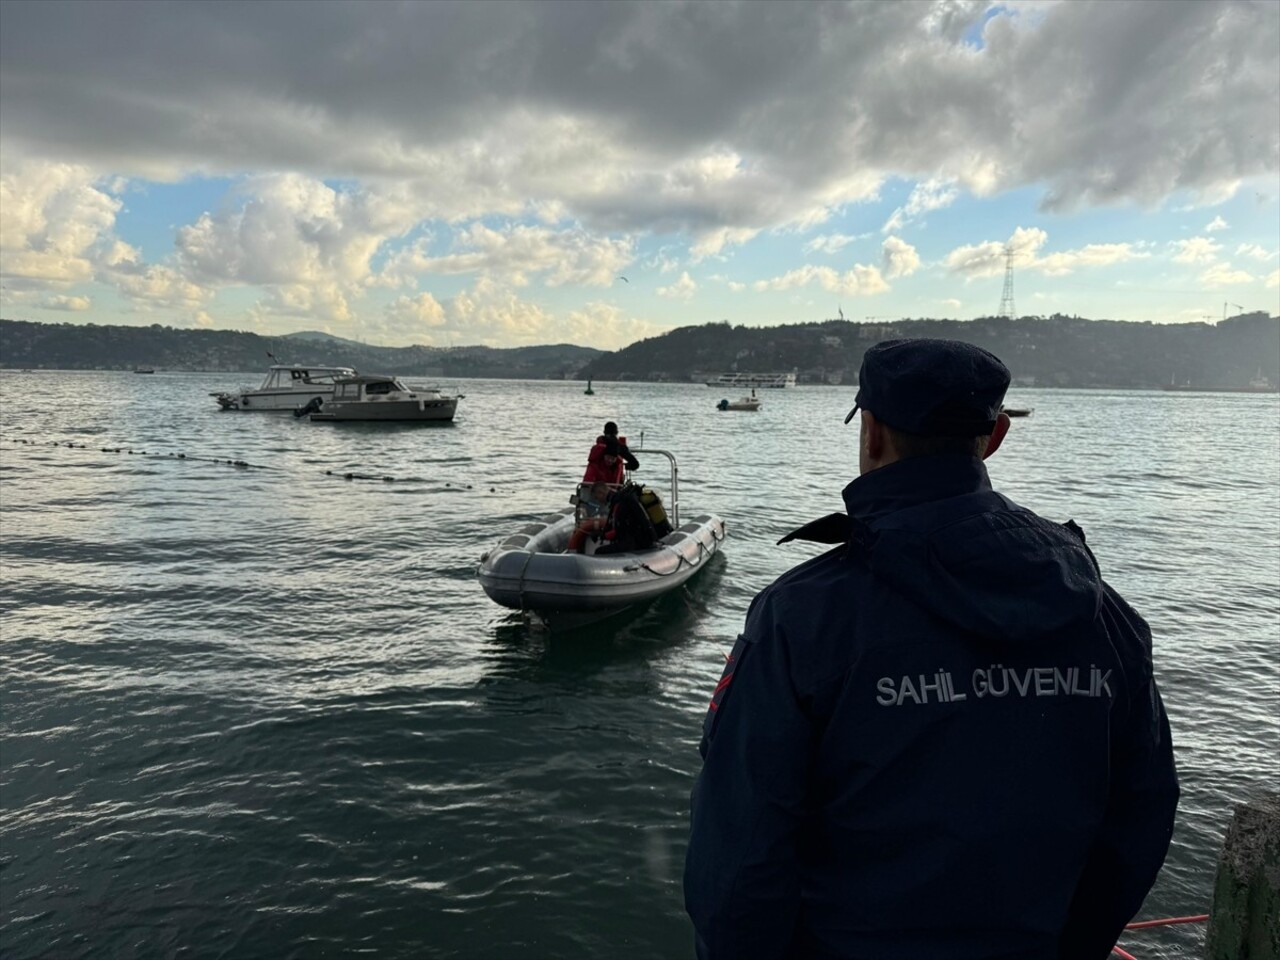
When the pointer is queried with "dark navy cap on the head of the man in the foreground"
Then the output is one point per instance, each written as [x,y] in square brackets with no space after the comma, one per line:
[932,388]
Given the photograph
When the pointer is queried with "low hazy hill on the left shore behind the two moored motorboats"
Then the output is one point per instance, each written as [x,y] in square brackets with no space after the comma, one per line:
[26,344]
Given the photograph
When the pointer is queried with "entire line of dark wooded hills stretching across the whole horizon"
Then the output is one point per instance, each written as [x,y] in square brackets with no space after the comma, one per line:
[1057,351]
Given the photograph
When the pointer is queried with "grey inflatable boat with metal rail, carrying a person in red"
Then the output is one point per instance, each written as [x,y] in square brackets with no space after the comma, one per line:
[532,570]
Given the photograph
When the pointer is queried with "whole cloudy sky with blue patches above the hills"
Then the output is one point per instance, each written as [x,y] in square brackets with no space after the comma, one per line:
[515,173]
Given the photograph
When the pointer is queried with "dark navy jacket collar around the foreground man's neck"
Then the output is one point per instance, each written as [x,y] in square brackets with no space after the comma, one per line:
[912,482]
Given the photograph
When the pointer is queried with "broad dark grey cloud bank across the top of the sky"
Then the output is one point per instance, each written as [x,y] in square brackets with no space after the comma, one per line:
[715,120]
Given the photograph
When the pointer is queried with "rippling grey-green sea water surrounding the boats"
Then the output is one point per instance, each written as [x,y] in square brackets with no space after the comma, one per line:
[268,712]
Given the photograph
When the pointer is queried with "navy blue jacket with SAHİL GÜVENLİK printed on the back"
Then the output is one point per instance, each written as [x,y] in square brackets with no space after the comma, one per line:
[939,740]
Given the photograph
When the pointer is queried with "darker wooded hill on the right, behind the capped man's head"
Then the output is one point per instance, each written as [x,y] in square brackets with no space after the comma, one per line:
[1057,351]
